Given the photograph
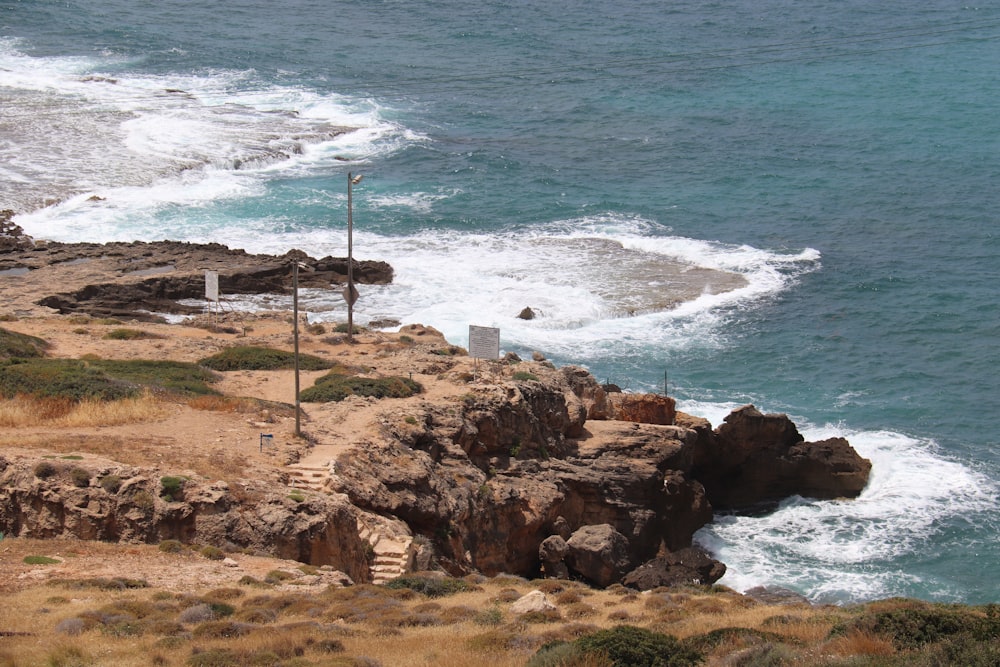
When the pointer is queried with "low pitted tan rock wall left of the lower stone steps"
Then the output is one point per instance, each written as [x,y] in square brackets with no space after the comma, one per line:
[321,530]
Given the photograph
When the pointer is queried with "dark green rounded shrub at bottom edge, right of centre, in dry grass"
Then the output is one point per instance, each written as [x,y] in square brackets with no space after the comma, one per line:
[631,646]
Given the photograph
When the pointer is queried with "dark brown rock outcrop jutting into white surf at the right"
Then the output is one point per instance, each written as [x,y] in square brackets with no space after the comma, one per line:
[756,458]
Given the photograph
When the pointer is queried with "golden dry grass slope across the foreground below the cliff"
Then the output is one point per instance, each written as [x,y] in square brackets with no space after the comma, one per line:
[237,624]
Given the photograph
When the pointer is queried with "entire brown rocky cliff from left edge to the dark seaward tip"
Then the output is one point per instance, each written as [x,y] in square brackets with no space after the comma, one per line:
[544,476]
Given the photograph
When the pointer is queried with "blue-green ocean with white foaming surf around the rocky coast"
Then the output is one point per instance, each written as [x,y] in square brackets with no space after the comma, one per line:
[790,204]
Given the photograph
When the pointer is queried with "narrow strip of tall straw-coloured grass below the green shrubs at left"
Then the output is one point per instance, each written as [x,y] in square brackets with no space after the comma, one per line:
[25,411]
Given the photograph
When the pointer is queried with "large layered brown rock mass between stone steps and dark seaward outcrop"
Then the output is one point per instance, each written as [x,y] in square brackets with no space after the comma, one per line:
[490,480]
